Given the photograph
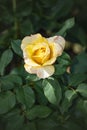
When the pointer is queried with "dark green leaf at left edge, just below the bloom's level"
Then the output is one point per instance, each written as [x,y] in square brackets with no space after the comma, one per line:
[9,82]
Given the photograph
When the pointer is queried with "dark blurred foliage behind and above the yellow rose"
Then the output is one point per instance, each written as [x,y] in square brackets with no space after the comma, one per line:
[19,18]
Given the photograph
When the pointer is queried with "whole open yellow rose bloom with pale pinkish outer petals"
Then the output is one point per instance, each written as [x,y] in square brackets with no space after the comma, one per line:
[40,53]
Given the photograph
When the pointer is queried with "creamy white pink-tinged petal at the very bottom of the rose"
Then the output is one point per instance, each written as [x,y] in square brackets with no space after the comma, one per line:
[45,72]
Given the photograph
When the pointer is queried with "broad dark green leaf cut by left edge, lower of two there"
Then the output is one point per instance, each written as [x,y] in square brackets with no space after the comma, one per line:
[7,102]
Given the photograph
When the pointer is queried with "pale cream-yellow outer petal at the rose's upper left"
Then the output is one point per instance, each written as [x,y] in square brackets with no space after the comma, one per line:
[28,40]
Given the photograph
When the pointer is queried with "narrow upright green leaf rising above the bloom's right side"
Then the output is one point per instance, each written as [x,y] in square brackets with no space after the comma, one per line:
[67,25]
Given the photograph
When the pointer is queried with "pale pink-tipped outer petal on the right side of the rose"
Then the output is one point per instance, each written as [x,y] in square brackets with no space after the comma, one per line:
[57,44]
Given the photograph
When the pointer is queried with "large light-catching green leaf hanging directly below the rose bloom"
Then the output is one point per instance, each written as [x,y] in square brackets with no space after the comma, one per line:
[52,91]
